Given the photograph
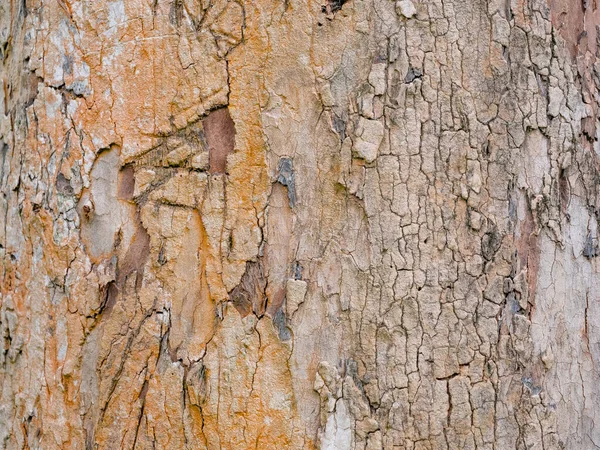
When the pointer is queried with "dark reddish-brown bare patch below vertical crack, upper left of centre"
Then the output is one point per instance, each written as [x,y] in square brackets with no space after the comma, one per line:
[219,130]
